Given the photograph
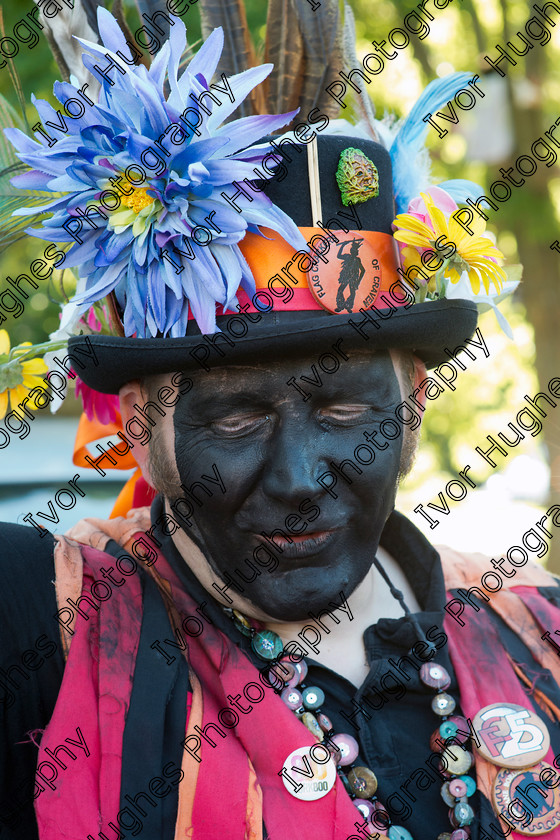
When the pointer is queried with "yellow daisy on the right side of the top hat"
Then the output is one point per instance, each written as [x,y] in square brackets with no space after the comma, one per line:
[474,253]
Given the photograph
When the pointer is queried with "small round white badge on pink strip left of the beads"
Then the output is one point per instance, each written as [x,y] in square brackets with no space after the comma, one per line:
[309,773]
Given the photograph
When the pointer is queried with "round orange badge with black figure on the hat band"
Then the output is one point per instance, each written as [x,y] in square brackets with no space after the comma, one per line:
[351,278]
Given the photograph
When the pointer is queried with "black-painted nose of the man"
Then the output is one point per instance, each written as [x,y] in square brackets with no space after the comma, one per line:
[293,463]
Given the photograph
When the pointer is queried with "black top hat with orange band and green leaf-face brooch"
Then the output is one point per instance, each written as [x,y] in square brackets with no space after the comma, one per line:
[305,302]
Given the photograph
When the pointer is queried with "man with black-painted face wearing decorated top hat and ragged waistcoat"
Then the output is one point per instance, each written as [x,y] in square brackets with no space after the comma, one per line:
[270,650]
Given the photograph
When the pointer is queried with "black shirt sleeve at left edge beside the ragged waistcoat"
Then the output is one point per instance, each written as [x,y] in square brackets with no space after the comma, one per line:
[31,668]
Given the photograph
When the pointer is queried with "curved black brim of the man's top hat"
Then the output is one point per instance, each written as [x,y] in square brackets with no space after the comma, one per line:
[432,330]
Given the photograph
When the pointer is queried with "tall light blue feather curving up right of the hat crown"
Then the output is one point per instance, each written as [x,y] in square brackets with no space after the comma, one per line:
[410,161]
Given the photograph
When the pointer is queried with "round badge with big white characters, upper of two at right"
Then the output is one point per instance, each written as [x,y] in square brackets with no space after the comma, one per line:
[510,735]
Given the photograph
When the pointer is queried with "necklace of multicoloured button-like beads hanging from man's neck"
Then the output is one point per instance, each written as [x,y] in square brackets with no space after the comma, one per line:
[288,679]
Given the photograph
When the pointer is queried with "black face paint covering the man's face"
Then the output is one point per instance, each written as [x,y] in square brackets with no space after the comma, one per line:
[270,447]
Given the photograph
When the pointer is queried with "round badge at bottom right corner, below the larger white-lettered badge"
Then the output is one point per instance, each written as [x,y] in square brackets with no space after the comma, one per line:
[525,801]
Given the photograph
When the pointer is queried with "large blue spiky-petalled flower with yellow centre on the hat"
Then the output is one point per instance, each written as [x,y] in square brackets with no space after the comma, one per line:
[142,180]
